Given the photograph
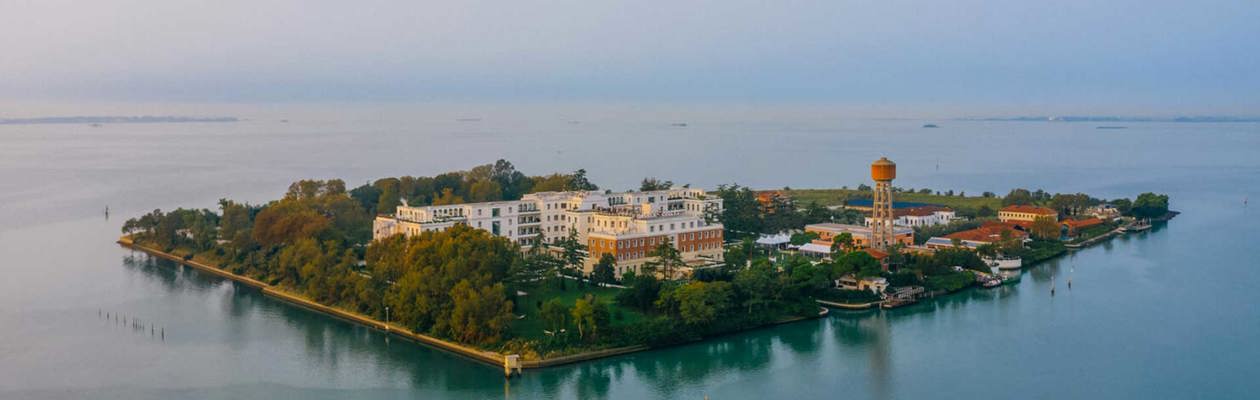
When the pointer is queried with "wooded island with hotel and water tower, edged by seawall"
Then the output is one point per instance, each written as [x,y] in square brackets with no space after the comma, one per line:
[527,272]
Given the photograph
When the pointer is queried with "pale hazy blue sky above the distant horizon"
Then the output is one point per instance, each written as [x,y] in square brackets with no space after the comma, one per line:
[1145,57]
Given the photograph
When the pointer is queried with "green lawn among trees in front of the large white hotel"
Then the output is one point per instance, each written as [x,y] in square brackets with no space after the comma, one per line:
[532,327]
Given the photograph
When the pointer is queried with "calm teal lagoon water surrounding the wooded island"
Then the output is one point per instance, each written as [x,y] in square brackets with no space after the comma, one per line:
[1172,314]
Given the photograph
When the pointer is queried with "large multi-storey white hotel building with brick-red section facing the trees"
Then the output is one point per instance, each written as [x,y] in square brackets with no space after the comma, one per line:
[626,225]
